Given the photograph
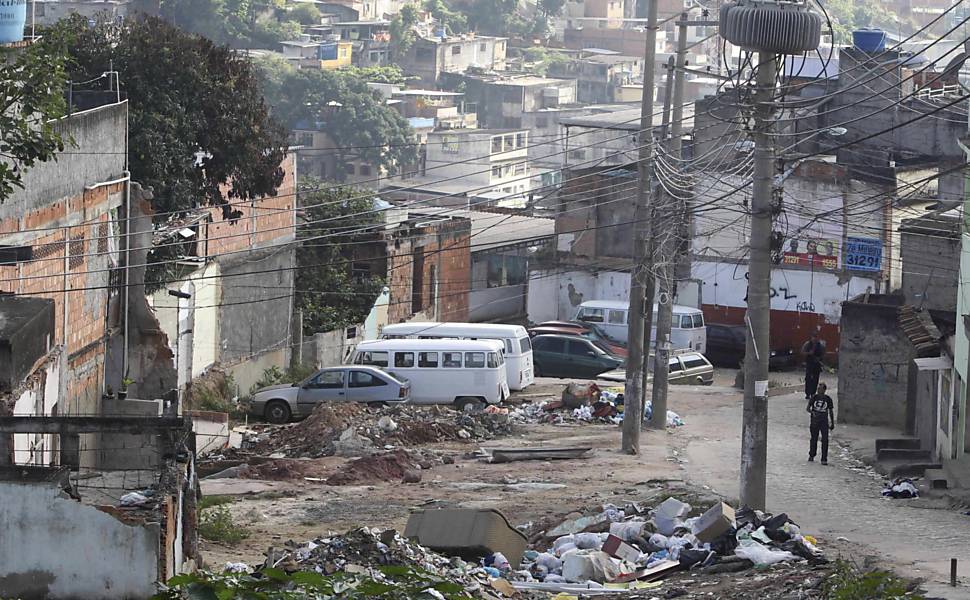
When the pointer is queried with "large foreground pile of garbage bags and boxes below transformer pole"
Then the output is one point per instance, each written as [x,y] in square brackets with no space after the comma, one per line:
[632,546]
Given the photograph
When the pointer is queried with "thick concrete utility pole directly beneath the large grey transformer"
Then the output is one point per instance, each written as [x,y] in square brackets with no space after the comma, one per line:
[754,432]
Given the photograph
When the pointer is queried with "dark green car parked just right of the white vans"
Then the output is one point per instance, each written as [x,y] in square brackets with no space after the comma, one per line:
[570,356]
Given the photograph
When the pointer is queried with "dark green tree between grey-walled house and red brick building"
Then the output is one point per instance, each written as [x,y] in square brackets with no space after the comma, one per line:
[327,291]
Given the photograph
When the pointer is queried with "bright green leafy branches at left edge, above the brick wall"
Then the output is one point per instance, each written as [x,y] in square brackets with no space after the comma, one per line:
[32,83]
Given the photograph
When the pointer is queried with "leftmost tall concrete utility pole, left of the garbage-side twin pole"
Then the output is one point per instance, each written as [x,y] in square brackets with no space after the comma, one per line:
[633,390]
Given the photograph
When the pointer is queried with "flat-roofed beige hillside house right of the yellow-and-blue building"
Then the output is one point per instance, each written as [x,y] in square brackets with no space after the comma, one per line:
[428,57]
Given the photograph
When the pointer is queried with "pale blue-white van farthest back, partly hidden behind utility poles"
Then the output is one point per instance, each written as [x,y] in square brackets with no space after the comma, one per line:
[687,331]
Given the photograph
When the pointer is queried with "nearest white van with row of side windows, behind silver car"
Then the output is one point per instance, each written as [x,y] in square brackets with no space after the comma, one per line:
[441,371]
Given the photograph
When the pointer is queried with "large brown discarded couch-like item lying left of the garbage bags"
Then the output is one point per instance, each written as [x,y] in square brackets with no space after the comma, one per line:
[468,533]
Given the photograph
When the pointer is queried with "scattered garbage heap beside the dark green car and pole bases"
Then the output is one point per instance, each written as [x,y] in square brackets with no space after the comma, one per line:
[585,403]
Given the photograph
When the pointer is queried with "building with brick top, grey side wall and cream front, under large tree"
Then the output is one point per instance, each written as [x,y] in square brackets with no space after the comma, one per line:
[240,283]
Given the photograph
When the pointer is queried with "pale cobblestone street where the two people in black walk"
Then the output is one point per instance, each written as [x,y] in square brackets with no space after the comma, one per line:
[834,500]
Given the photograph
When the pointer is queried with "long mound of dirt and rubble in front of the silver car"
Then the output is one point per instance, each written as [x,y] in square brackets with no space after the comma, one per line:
[350,429]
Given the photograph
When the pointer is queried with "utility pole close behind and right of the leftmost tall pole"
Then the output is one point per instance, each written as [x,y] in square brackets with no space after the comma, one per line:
[672,212]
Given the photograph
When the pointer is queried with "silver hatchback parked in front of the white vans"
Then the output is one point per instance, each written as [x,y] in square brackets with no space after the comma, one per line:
[359,383]
